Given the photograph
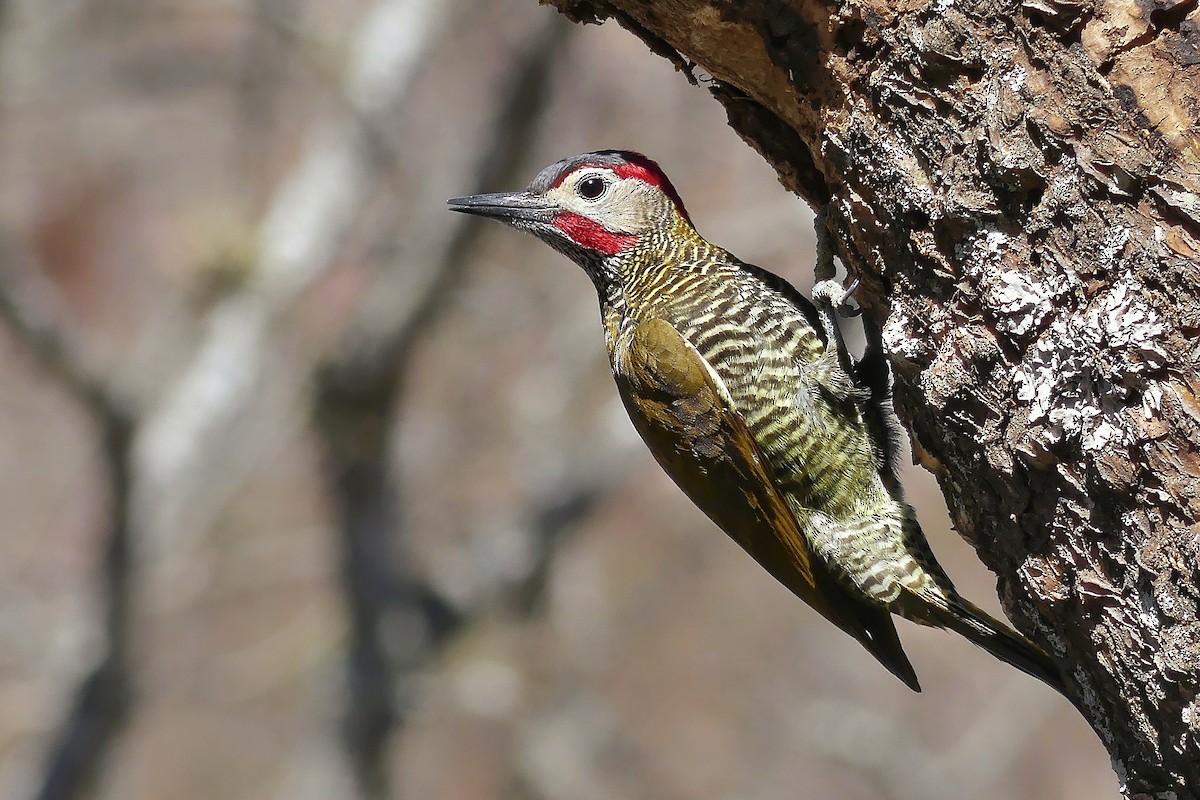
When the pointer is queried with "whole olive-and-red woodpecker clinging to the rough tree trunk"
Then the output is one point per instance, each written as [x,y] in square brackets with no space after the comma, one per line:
[745,394]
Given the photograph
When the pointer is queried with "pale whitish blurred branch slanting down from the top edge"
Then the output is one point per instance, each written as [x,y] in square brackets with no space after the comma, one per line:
[196,441]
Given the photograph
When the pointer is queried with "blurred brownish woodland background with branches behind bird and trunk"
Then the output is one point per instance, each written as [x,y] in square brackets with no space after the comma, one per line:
[310,489]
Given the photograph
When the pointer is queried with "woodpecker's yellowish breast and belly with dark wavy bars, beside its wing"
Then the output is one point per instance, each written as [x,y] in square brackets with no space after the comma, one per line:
[761,345]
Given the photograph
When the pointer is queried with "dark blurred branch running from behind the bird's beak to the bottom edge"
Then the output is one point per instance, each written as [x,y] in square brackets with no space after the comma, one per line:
[359,400]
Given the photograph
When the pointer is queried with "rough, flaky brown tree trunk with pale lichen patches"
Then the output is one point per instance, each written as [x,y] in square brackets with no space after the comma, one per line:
[1017,184]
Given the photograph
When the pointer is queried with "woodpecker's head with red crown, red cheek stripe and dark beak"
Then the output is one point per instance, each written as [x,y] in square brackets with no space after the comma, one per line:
[595,208]
